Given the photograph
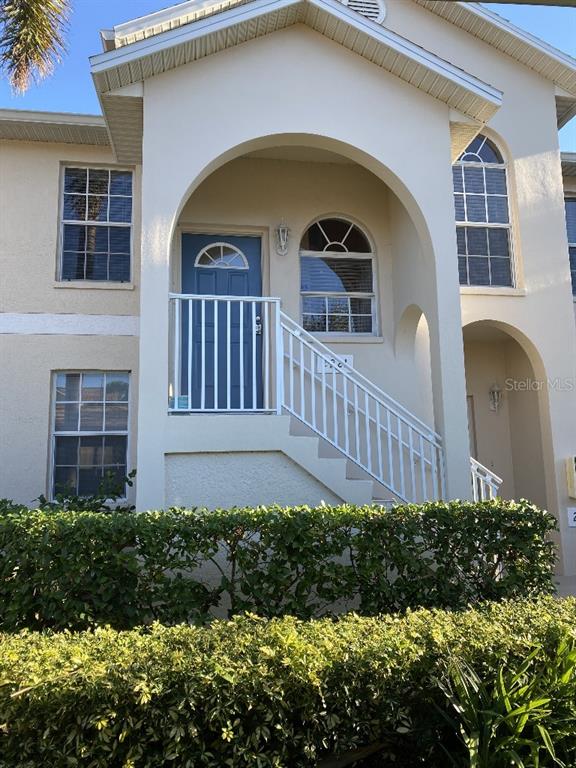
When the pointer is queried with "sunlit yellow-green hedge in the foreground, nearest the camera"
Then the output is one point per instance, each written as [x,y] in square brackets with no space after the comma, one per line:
[252,693]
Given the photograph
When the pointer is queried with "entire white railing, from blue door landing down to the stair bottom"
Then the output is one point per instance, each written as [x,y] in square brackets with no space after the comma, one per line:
[242,353]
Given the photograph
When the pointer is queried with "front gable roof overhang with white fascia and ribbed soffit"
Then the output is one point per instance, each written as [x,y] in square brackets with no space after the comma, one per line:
[242,21]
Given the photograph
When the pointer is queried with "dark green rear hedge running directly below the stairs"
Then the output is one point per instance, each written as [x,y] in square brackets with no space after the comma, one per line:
[78,569]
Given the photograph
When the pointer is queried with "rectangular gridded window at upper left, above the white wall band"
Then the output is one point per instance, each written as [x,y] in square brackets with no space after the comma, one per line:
[96,225]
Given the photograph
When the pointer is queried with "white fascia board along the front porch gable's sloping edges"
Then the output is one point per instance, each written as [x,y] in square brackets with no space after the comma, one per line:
[219,22]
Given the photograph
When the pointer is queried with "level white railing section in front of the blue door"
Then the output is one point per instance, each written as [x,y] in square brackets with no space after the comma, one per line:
[223,355]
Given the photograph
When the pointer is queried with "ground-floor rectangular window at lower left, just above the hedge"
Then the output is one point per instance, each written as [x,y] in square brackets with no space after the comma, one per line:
[89,431]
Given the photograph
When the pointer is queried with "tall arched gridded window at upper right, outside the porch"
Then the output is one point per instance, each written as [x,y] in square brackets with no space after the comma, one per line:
[482,216]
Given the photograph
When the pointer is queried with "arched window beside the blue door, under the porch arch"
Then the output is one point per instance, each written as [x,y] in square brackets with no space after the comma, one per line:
[337,279]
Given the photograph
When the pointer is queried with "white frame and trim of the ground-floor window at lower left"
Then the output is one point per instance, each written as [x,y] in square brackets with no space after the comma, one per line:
[53,434]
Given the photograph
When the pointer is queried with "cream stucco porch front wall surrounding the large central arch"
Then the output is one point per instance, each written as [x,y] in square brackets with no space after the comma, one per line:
[220,86]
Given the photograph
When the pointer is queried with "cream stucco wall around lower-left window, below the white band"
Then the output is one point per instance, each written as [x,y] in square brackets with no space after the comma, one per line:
[27,363]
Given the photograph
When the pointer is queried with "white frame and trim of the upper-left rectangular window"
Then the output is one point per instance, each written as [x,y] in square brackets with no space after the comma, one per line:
[86,283]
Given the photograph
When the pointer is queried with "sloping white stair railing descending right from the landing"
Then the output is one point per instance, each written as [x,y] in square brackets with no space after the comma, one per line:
[370,428]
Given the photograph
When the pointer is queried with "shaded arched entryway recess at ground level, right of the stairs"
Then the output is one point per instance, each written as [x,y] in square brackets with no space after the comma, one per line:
[507,402]
